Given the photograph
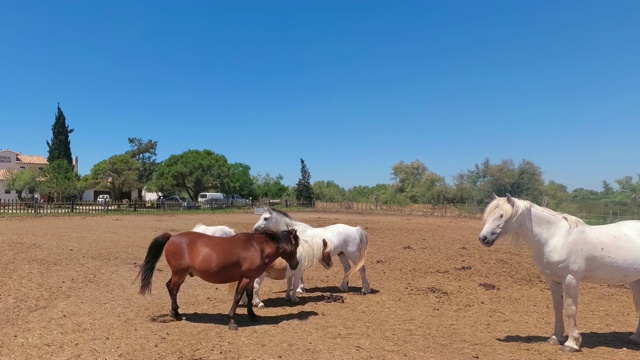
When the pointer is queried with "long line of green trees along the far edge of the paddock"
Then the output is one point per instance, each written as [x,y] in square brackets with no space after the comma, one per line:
[196,171]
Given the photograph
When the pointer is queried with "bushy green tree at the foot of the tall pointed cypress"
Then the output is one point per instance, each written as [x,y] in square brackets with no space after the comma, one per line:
[60,181]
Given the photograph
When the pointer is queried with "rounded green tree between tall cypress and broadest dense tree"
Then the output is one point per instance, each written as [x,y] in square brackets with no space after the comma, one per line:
[118,174]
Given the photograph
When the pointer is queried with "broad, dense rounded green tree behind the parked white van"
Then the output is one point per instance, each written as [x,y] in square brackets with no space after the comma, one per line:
[193,172]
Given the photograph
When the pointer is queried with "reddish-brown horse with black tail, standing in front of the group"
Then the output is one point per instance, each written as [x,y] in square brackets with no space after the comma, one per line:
[218,260]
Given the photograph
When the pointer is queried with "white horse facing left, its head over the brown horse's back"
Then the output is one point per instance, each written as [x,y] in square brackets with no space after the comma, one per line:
[348,242]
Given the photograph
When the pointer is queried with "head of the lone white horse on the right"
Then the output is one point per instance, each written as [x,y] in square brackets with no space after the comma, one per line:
[497,218]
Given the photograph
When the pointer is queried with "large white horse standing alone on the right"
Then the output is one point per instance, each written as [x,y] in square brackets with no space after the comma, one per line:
[568,251]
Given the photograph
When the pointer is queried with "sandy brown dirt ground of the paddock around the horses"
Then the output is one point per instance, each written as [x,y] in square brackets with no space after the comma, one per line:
[67,291]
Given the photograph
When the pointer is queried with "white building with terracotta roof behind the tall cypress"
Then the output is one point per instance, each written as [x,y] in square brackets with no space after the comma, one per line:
[11,162]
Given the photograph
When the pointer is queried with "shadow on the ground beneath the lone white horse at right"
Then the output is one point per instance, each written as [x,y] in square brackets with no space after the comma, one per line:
[590,340]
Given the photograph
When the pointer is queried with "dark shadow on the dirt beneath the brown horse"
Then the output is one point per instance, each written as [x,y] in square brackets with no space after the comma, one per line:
[241,319]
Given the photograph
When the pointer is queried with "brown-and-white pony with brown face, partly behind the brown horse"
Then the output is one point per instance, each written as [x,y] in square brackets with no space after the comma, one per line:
[308,255]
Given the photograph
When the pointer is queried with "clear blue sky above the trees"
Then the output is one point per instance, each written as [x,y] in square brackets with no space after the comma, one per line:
[352,87]
